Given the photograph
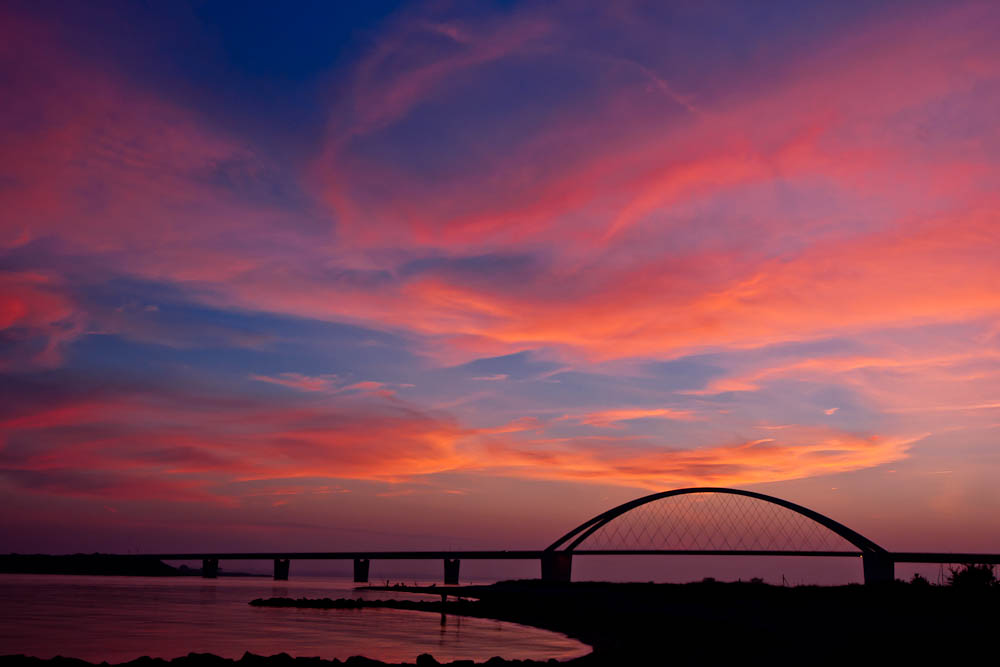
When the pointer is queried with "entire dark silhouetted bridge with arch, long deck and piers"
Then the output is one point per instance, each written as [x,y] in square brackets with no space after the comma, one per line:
[699,521]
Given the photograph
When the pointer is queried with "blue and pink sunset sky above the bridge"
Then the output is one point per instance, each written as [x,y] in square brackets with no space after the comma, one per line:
[462,275]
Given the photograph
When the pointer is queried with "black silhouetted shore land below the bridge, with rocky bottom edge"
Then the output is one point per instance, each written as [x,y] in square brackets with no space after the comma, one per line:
[703,623]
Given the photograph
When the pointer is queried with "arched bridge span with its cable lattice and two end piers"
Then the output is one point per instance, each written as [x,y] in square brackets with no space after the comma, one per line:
[716,521]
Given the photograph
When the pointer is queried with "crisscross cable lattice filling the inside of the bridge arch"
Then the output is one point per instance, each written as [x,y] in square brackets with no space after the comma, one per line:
[717,521]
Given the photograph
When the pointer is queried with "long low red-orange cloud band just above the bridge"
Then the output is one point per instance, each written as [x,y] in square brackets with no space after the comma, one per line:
[109,444]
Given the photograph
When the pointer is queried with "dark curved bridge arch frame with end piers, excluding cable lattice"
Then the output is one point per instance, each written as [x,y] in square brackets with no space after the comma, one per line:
[878,564]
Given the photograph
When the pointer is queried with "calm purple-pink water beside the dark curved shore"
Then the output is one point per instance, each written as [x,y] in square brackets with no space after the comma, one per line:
[121,618]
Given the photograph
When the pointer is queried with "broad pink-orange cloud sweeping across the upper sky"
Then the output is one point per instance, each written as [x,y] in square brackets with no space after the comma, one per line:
[606,292]
